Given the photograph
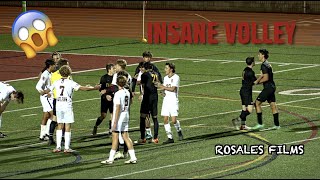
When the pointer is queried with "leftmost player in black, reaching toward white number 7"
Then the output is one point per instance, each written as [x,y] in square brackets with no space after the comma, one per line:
[106,105]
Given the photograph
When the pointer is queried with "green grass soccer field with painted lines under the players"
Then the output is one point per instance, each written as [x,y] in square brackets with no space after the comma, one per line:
[209,99]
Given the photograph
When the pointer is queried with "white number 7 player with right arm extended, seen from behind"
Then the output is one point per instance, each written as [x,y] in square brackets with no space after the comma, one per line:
[64,110]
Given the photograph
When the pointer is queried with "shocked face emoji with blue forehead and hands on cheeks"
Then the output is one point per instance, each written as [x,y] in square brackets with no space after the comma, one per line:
[32,31]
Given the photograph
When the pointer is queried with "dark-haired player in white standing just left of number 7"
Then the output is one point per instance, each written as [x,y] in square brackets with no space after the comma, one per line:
[45,99]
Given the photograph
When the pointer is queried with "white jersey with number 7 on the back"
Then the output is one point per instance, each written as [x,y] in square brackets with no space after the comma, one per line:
[64,89]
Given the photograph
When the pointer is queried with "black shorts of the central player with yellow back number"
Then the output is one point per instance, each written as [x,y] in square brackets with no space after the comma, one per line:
[149,104]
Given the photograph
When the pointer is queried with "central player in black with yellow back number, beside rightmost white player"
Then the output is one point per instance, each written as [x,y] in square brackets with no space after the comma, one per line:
[149,104]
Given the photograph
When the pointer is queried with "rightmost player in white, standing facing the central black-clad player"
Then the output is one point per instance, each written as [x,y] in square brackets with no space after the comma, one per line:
[170,104]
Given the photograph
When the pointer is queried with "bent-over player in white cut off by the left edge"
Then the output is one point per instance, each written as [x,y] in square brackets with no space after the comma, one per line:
[7,94]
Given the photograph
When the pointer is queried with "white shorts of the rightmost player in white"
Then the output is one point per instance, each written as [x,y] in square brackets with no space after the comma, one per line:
[170,107]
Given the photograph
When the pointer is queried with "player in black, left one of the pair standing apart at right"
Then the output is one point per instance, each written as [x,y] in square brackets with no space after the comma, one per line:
[248,78]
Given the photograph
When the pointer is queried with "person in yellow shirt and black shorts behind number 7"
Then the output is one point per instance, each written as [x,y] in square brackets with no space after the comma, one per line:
[54,77]
